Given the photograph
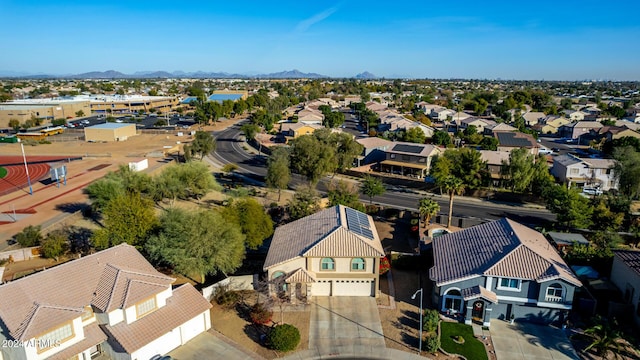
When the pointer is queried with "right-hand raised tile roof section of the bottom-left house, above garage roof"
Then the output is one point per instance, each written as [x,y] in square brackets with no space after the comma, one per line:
[121,286]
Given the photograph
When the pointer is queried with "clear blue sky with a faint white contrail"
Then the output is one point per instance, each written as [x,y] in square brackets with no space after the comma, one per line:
[544,40]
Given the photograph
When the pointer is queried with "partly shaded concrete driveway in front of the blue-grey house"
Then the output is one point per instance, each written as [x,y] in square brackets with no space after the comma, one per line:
[528,342]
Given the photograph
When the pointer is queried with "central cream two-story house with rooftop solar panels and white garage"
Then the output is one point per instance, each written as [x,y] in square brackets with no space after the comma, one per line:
[334,252]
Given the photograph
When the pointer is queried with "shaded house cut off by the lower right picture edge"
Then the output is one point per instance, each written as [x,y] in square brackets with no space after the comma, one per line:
[625,274]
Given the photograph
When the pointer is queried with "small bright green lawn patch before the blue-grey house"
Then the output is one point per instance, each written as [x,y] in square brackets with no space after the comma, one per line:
[472,348]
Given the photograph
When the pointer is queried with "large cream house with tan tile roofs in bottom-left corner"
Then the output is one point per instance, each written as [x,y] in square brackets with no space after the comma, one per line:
[112,303]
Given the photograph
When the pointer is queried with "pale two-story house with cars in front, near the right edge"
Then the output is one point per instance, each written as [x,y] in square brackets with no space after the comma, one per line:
[593,173]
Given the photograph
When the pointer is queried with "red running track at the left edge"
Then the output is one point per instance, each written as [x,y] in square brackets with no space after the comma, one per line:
[16,177]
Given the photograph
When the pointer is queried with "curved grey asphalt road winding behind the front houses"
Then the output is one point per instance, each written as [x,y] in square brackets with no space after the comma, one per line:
[230,150]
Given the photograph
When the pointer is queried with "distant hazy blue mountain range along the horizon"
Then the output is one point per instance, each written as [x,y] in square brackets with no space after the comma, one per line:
[113,74]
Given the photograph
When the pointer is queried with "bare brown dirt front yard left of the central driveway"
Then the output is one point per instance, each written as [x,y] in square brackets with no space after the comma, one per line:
[235,324]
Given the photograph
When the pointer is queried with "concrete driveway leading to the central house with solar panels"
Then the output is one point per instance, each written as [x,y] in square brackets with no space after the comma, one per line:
[345,326]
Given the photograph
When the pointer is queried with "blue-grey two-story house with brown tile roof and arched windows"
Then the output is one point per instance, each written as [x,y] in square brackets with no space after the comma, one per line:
[501,270]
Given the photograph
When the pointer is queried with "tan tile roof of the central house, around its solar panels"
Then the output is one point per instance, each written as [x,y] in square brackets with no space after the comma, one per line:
[324,233]
